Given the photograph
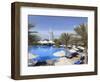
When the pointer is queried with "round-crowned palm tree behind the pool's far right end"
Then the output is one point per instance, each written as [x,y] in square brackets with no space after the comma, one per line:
[65,38]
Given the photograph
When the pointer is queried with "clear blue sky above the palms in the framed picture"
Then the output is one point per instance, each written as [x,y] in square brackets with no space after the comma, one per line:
[56,24]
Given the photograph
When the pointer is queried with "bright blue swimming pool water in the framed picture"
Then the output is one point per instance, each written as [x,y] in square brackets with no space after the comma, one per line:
[44,52]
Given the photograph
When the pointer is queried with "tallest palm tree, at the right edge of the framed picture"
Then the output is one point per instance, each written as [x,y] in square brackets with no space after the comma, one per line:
[81,30]
